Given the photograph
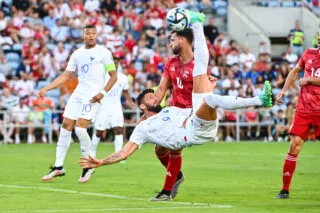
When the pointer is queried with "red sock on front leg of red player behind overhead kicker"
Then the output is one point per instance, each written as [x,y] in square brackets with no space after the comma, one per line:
[173,169]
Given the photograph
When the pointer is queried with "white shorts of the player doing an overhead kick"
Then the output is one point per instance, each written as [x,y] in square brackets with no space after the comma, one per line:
[199,131]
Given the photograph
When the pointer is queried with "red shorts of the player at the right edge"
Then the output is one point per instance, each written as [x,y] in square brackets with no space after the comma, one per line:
[302,123]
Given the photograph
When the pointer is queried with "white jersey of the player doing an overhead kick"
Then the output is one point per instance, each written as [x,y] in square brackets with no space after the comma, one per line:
[164,129]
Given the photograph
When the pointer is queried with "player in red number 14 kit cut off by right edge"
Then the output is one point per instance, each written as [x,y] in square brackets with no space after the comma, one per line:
[307,111]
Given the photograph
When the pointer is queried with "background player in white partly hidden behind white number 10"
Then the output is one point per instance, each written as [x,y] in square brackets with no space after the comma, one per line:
[110,112]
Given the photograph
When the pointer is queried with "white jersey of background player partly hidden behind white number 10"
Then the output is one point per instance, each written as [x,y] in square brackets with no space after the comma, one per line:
[113,97]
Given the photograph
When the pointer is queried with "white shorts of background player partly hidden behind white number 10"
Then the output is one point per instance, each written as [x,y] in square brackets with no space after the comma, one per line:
[109,118]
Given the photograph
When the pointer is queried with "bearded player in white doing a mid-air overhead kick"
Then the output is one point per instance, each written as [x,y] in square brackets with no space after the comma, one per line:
[172,127]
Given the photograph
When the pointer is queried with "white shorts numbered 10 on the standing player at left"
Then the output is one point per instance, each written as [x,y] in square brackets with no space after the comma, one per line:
[80,107]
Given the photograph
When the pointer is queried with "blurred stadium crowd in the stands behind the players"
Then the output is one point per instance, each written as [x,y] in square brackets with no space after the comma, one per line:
[37,38]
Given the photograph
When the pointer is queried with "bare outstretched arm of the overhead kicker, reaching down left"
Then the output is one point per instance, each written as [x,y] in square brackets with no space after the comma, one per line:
[115,157]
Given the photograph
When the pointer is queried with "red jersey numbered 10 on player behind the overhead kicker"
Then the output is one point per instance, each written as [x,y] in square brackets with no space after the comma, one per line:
[180,76]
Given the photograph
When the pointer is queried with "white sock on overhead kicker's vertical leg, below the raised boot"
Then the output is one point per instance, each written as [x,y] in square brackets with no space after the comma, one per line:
[201,52]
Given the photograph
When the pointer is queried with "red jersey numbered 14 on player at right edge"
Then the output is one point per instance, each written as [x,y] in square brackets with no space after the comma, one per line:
[309,98]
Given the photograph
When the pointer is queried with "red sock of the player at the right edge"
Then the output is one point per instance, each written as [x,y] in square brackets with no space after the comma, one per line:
[288,169]
